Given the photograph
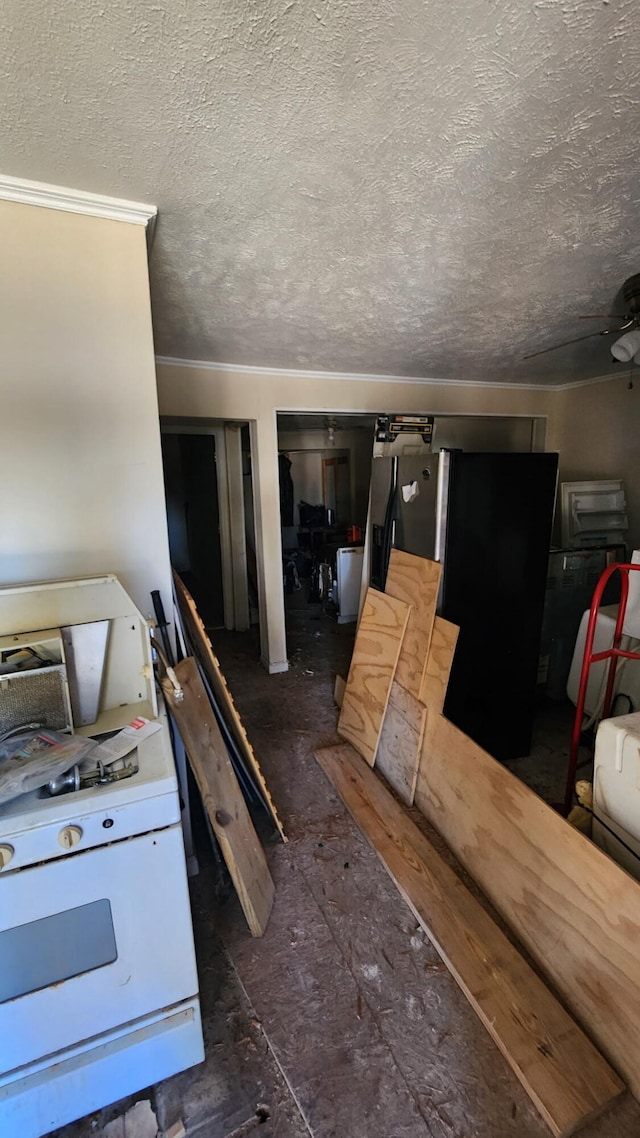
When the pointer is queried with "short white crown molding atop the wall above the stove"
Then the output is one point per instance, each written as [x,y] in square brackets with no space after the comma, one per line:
[61,197]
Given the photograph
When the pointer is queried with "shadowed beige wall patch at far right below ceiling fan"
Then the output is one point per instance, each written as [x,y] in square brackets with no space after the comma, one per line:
[597,432]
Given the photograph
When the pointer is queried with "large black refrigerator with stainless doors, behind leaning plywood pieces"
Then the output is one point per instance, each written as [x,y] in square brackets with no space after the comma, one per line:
[488,519]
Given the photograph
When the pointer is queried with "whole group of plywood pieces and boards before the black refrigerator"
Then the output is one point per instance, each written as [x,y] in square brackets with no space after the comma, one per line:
[577,912]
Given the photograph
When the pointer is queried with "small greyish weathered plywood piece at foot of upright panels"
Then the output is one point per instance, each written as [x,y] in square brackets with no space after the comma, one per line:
[401,741]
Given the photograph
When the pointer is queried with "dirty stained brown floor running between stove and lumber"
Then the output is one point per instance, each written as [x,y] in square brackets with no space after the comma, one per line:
[342,1021]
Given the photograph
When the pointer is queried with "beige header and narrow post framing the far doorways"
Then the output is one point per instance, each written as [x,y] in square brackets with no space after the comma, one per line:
[192,392]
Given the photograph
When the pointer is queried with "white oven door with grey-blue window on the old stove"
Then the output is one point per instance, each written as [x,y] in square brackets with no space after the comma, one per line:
[93,942]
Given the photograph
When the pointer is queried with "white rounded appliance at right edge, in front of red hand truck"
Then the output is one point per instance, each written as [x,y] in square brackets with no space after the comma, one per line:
[617,790]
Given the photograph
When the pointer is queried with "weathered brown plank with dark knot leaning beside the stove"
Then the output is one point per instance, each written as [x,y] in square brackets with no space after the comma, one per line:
[221,796]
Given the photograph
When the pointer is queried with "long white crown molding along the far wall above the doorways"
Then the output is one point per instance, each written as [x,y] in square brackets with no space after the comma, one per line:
[355,377]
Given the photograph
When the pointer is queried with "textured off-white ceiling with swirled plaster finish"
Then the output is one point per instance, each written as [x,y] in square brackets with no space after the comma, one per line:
[426,188]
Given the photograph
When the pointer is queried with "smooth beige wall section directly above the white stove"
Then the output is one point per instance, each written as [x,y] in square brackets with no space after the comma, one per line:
[79,424]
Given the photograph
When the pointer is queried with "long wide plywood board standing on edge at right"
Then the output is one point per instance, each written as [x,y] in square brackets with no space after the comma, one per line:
[575,910]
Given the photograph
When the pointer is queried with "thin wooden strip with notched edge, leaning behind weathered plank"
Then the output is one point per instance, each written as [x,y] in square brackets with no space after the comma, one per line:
[207,656]
